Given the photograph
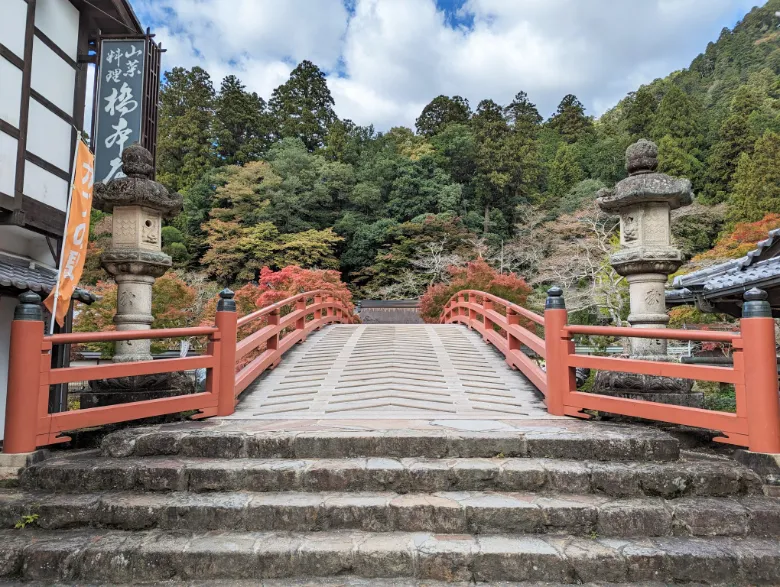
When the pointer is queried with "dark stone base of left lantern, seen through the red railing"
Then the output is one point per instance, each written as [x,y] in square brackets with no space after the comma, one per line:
[110,392]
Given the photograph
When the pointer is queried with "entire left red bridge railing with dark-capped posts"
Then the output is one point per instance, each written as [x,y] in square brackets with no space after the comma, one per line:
[29,424]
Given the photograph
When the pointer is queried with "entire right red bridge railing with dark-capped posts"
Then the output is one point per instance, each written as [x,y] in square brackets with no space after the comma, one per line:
[511,329]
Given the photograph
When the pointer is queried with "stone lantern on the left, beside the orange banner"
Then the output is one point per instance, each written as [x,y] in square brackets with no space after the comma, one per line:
[139,205]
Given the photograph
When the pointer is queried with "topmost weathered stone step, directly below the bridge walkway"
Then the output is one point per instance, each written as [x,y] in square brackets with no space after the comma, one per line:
[555,440]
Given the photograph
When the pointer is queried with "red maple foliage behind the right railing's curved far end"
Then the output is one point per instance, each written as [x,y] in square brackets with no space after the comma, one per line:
[477,275]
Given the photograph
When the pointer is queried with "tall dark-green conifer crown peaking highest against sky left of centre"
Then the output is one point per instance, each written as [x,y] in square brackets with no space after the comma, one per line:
[302,107]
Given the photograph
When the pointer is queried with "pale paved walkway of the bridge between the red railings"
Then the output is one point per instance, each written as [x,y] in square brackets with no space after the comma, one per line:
[389,372]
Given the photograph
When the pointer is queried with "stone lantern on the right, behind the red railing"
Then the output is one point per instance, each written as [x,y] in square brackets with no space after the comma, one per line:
[646,257]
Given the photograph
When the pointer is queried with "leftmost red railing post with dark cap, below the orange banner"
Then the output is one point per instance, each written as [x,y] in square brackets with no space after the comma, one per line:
[21,409]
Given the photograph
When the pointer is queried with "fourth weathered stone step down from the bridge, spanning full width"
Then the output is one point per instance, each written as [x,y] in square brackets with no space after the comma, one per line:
[116,557]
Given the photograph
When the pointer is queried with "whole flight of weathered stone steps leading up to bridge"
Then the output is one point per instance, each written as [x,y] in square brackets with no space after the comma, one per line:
[558,503]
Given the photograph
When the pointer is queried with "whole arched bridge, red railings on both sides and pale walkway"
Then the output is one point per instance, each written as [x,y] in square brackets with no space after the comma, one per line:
[345,370]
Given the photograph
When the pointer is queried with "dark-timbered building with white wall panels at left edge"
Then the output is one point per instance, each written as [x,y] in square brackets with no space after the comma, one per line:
[46,47]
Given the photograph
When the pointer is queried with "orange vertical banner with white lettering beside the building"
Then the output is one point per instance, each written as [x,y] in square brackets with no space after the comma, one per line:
[74,247]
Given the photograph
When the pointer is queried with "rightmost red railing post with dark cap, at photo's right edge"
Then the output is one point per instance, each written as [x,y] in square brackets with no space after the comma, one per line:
[761,388]
